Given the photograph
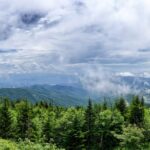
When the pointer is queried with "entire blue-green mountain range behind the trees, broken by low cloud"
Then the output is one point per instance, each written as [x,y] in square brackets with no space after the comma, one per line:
[70,95]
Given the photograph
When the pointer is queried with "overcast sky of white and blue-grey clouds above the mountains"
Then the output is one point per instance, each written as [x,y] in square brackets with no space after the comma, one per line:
[66,39]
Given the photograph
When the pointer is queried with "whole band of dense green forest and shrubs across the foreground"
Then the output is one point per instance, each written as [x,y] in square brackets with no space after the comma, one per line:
[27,126]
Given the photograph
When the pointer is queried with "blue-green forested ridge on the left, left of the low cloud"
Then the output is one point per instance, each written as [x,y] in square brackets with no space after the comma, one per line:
[58,94]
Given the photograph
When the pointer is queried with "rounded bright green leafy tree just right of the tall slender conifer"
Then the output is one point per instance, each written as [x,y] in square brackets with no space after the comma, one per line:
[107,123]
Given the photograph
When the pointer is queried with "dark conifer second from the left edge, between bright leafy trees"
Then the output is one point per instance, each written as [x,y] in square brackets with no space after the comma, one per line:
[24,121]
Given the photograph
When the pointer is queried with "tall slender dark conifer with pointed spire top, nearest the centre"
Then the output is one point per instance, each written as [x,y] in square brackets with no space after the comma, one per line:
[89,126]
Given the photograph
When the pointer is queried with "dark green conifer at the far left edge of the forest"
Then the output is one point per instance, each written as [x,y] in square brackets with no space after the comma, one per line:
[5,120]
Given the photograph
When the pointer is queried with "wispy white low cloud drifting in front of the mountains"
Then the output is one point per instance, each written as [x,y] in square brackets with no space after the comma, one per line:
[97,80]
